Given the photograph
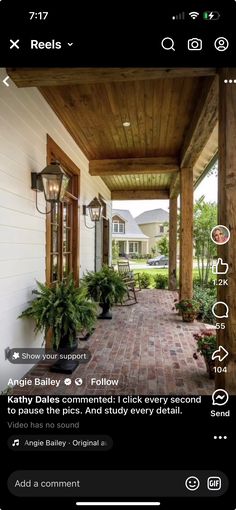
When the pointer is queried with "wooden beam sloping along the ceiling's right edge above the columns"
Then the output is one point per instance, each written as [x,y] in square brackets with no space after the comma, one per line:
[203,122]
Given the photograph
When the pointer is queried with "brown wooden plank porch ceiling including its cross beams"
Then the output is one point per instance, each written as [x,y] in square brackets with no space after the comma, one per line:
[171,115]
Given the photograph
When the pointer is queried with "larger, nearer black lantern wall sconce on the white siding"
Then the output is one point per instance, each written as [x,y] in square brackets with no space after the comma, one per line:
[53,181]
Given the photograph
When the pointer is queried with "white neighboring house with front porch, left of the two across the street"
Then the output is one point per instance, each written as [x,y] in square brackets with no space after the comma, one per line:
[127,234]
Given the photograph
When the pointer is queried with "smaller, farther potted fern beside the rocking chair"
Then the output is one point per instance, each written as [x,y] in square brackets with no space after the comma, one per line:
[106,287]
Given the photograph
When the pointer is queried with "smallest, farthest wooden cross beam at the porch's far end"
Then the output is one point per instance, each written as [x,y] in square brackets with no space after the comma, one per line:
[140,194]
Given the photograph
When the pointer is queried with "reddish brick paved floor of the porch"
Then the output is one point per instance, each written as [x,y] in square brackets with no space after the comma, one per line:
[146,347]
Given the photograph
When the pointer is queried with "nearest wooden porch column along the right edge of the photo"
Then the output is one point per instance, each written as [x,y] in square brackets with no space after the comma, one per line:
[227,217]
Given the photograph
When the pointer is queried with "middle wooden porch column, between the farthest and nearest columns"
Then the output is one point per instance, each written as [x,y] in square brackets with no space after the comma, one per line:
[186,233]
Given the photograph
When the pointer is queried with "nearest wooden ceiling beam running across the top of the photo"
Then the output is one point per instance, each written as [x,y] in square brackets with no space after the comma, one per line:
[45,77]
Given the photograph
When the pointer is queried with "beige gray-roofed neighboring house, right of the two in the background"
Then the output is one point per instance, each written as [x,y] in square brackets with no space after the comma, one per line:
[153,224]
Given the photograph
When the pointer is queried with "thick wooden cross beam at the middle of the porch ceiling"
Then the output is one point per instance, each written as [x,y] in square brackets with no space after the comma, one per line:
[129,166]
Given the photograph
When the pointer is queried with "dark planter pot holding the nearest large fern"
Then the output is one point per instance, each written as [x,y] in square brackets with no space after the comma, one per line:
[65,365]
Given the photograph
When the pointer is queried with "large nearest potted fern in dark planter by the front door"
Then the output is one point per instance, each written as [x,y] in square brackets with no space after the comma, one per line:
[61,310]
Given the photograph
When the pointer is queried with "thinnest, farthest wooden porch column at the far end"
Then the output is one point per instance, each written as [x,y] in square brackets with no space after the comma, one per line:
[172,243]
